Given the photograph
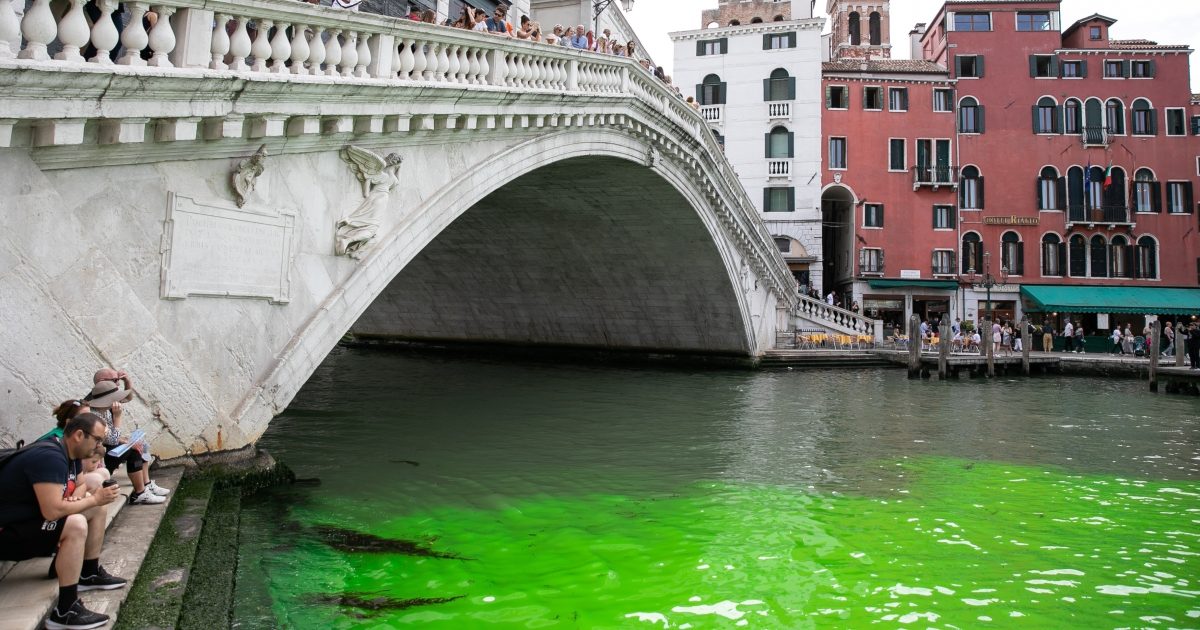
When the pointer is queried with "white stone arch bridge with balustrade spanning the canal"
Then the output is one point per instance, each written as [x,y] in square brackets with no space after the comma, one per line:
[547,197]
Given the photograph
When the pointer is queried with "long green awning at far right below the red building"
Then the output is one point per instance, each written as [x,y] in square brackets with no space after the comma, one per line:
[1138,301]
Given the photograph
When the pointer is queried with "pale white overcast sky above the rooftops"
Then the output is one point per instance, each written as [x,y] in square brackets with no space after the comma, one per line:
[1169,22]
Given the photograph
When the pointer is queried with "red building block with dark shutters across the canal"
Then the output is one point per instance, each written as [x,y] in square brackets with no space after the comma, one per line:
[1012,147]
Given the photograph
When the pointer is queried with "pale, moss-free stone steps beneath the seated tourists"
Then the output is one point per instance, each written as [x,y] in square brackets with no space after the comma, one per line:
[27,595]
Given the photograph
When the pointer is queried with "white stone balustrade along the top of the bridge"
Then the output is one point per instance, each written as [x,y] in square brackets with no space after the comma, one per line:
[286,40]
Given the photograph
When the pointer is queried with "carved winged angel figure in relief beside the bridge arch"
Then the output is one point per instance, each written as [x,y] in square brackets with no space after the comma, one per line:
[379,177]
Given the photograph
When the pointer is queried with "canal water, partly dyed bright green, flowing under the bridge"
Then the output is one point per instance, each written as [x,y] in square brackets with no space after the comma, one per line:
[475,494]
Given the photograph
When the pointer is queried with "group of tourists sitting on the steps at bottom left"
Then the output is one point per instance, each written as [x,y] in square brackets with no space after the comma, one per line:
[55,494]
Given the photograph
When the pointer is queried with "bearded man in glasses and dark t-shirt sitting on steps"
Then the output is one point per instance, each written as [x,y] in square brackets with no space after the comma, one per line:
[41,514]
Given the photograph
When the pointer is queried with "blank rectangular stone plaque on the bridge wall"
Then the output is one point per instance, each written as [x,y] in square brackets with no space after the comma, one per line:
[218,250]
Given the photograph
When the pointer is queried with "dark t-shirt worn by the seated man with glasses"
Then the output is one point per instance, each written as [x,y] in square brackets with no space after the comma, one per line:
[46,463]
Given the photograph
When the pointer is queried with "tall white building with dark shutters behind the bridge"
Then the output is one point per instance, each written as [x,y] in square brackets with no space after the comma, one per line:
[755,68]
